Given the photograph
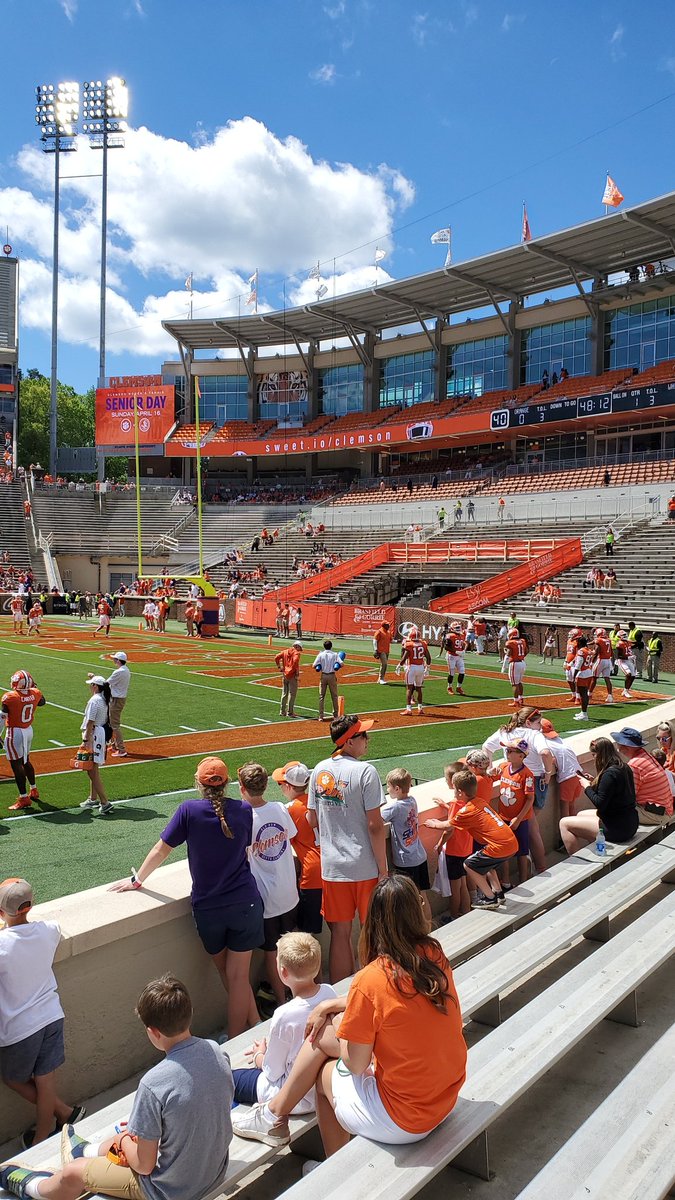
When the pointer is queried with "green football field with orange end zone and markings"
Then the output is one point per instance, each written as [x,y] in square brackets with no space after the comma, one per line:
[189,699]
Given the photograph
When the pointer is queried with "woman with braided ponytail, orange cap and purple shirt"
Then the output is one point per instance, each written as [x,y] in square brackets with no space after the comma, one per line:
[226,904]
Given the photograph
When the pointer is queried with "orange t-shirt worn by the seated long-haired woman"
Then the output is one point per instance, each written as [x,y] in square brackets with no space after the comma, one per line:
[420,1051]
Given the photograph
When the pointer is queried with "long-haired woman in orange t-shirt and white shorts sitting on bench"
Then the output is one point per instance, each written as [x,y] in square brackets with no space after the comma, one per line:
[392,1066]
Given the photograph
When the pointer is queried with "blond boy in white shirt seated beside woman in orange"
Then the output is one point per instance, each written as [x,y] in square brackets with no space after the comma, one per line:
[298,962]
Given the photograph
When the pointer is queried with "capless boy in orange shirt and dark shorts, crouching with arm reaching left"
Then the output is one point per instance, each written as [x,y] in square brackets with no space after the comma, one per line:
[497,838]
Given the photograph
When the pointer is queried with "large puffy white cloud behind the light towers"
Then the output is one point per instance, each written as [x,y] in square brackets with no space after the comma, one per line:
[238,199]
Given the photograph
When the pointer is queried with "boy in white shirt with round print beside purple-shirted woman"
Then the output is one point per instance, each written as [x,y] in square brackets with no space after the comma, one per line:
[273,867]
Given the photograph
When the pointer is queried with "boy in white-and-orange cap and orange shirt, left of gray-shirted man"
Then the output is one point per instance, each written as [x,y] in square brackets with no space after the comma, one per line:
[294,781]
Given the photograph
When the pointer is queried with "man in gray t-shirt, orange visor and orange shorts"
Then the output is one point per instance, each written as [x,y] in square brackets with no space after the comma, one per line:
[344,805]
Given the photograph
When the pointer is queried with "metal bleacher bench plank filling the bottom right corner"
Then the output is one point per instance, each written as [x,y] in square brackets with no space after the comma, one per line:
[626,1149]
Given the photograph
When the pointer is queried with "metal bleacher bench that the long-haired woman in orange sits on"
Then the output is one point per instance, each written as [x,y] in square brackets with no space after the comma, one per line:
[501,1067]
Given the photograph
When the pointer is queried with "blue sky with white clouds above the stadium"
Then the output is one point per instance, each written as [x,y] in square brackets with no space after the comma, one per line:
[272,134]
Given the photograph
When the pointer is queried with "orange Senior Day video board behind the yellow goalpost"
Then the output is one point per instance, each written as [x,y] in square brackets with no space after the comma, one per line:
[116,410]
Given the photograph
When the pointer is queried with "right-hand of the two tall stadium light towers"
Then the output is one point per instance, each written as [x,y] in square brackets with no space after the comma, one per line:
[105,107]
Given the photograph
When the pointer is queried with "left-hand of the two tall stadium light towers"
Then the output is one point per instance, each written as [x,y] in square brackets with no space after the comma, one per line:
[57,111]
